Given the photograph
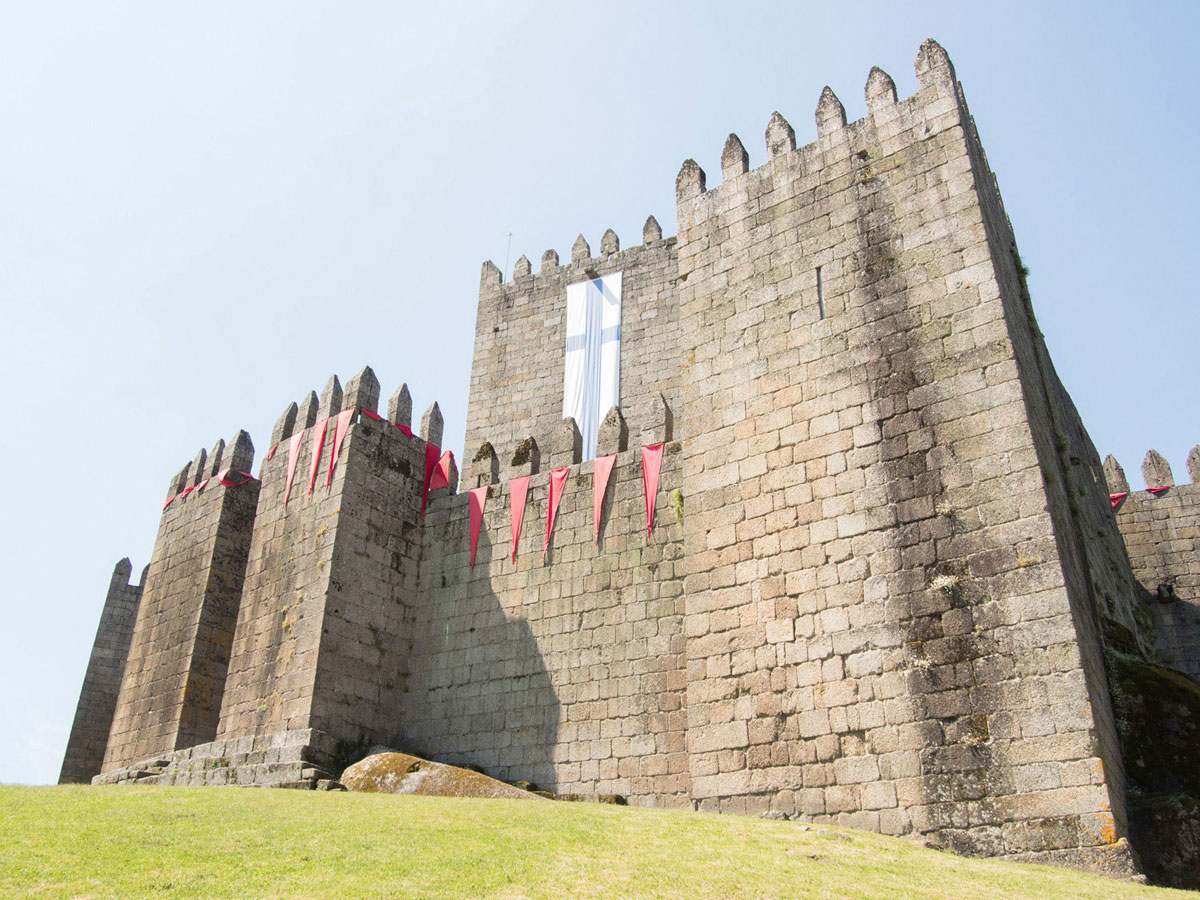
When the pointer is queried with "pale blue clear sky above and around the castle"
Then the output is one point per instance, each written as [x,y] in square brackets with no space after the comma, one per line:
[207,209]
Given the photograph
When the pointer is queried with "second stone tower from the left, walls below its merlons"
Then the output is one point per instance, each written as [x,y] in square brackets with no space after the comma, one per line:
[175,679]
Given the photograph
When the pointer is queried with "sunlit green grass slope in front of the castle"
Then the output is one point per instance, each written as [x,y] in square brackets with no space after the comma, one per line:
[239,843]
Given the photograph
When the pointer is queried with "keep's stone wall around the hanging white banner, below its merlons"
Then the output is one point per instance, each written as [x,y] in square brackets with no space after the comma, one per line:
[517,377]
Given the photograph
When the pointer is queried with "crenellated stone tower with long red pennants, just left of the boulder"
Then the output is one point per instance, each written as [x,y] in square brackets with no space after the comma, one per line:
[320,655]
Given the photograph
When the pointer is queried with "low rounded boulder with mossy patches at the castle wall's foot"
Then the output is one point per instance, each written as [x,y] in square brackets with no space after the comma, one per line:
[401,773]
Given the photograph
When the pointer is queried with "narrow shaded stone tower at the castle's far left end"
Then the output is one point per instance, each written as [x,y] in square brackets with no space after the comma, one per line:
[103,681]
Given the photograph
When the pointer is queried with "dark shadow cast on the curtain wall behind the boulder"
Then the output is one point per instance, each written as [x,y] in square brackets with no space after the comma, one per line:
[479,694]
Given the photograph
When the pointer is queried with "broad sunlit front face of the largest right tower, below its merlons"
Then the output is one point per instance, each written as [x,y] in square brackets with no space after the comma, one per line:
[879,627]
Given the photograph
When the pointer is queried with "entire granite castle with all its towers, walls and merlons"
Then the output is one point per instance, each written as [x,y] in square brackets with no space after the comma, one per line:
[886,585]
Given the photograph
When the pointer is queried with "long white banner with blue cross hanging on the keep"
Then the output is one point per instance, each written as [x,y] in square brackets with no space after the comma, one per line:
[592,375]
